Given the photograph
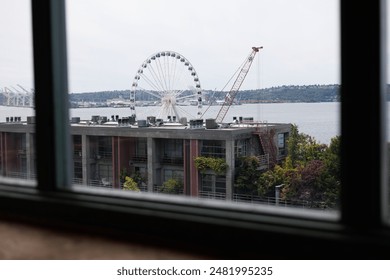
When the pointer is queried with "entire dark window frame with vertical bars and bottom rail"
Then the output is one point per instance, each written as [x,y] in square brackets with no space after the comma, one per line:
[211,228]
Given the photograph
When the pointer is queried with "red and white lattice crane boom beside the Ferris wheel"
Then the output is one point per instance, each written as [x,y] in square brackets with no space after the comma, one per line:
[229,98]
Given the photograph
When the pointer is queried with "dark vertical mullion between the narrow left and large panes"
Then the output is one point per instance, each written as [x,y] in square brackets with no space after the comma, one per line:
[51,94]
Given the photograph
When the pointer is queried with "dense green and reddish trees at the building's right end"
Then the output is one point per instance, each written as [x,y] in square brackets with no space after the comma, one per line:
[310,172]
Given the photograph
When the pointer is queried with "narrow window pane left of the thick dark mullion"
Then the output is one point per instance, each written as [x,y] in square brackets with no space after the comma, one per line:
[17,116]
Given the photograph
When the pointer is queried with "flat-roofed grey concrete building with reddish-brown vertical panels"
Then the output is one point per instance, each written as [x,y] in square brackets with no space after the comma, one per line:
[105,150]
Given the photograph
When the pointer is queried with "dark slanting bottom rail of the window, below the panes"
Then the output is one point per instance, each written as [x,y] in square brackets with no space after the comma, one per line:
[219,229]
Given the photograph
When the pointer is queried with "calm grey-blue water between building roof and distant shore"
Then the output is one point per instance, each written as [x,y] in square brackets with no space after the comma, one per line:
[320,120]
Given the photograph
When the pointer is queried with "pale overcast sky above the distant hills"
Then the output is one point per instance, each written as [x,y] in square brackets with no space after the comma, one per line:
[109,40]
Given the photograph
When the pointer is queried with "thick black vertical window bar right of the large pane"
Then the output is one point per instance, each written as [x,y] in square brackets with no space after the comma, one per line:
[363,115]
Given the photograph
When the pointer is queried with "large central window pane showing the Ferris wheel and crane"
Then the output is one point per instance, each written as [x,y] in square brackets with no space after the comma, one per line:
[236,100]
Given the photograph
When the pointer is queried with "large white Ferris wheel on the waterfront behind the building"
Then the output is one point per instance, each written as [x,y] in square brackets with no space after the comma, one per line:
[168,80]
